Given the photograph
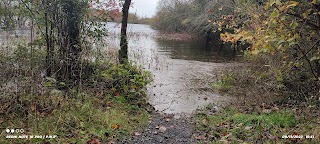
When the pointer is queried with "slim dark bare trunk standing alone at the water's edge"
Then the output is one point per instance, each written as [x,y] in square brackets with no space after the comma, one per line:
[123,52]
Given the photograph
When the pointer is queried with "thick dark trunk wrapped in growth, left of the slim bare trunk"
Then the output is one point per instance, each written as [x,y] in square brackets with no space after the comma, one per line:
[70,48]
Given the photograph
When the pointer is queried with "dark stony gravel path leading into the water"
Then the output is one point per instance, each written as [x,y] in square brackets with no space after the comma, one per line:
[167,129]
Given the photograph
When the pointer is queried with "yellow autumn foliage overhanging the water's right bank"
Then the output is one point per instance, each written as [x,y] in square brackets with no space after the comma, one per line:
[285,34]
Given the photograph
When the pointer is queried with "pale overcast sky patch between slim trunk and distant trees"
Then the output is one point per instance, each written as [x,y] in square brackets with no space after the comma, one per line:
[144,7]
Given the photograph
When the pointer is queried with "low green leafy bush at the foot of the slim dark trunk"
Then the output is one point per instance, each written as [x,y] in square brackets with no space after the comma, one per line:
[124,81]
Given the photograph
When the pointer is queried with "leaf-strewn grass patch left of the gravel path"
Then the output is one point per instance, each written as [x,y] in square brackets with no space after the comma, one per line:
[81,120]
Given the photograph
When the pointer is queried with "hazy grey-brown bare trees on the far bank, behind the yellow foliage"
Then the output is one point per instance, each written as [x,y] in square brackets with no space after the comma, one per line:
[192,16]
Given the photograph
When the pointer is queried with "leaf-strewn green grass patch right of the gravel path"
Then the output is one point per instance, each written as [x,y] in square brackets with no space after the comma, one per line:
[231,126]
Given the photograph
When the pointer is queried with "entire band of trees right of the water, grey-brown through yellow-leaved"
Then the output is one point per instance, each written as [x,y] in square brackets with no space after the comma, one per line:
[284,36]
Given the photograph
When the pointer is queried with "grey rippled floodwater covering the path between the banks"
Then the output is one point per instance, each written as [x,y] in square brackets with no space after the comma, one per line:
[183,70]
